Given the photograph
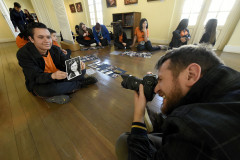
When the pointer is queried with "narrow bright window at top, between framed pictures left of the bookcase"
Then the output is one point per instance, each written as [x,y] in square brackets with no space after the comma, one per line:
[95,11]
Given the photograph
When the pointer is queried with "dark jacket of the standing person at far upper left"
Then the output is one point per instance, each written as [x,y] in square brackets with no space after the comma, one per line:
[17,18]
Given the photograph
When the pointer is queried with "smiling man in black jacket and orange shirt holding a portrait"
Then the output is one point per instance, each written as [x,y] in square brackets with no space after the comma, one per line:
[44,67]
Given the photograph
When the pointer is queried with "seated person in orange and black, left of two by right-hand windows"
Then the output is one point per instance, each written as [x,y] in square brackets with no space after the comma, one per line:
[180,35]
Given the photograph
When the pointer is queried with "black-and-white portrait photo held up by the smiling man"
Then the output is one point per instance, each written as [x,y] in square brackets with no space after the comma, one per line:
[73,67]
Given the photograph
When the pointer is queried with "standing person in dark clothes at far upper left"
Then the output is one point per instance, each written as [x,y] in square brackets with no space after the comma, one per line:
[18,17]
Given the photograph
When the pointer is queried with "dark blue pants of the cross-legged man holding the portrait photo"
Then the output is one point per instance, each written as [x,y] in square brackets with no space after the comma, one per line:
[60,87]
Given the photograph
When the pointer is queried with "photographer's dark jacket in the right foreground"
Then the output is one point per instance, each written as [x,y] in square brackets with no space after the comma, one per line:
[205,125]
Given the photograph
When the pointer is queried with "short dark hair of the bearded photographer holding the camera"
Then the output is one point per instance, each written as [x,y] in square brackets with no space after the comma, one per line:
[181,57]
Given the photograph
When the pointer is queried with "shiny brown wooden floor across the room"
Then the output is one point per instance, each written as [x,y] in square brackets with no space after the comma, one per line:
[84,129]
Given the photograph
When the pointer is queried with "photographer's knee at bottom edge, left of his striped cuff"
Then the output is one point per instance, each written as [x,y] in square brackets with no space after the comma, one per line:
[122,147]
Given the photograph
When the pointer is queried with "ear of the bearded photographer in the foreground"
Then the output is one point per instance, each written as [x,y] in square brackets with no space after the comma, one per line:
[194,74]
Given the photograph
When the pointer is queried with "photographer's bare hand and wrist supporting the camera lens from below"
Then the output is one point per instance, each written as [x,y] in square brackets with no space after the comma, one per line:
[139,105]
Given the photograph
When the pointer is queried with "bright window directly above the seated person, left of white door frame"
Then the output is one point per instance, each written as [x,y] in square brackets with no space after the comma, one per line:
[191,11]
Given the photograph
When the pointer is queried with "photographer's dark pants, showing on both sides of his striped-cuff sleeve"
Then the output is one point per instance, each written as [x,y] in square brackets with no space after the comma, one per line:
[122,146]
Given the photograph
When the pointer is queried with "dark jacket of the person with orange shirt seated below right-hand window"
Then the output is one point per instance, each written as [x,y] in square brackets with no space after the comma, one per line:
[176,42]
